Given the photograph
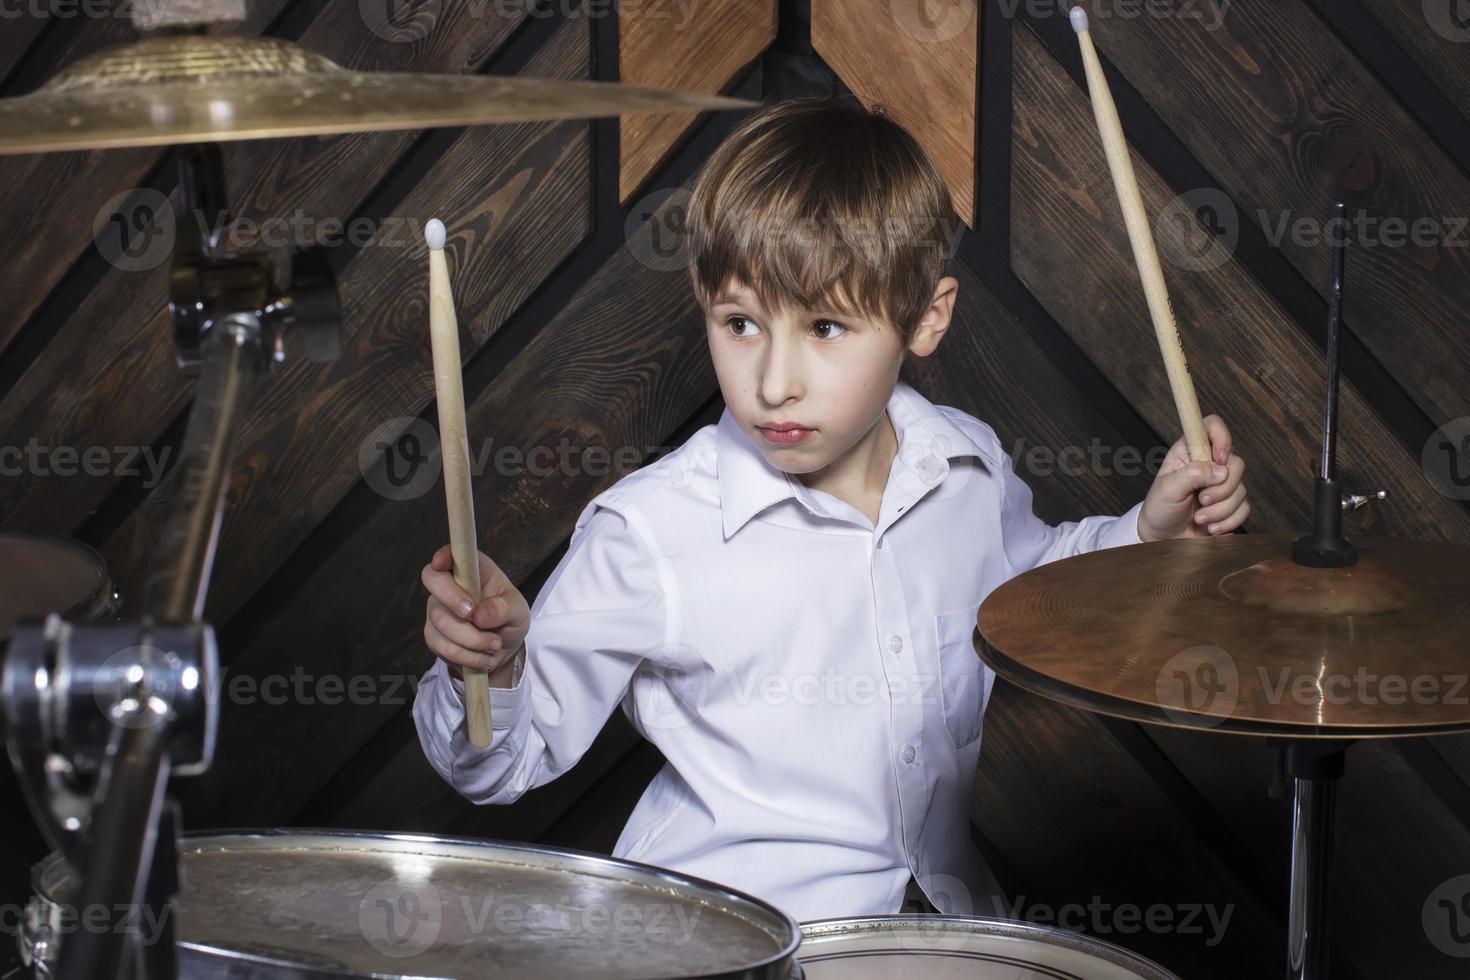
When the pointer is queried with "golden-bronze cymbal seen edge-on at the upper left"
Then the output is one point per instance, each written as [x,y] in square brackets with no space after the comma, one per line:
[190,89]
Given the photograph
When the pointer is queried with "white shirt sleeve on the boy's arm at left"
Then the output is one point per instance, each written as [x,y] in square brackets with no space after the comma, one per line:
[599,615]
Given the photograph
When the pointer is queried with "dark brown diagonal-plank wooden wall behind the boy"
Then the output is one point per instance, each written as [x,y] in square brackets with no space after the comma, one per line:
[580,330]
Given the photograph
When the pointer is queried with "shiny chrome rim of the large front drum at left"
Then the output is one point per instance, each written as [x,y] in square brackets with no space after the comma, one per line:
[684,884]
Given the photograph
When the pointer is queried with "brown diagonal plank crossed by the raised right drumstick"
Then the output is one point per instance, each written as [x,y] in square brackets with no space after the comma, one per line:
[1250,362]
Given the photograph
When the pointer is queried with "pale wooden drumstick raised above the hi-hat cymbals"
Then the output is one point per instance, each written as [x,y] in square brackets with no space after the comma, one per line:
[1143,240]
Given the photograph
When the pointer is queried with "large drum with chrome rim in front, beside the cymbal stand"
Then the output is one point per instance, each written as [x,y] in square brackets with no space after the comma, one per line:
[339,904]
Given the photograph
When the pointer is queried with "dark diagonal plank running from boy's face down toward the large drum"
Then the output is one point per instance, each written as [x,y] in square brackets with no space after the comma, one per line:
[573,383]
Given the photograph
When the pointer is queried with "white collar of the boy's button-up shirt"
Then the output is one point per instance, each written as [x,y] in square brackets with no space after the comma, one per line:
[927,442]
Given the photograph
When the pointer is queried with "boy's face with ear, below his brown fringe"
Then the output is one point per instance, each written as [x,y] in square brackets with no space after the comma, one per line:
[828,372]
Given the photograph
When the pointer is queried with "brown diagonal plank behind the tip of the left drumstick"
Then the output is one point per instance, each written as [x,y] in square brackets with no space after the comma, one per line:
[517,201]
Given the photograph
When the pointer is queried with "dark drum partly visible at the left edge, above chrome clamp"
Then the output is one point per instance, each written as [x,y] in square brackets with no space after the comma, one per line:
[48,574]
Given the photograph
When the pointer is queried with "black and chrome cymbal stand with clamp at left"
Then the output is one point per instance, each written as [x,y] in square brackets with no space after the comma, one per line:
[101,716]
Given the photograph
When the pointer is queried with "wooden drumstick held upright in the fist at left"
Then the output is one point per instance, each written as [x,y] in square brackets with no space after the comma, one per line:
[449,390]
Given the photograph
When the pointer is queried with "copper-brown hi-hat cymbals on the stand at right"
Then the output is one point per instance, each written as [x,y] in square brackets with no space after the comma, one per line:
[1228,634]
